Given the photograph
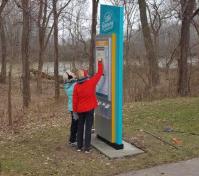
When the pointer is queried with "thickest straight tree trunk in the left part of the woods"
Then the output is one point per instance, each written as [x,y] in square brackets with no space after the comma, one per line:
[25,54]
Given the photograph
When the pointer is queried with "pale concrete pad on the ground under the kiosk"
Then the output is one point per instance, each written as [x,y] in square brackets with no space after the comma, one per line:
[110,152]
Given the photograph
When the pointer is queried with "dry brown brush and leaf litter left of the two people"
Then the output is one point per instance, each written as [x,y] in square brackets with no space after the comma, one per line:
[42,108]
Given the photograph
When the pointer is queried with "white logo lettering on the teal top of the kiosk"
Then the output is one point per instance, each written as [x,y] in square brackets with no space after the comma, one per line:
[107,23]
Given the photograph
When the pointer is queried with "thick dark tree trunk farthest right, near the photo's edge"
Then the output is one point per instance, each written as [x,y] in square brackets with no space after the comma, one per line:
[187,7]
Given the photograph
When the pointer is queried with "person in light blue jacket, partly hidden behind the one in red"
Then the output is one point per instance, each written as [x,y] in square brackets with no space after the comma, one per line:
[69,83]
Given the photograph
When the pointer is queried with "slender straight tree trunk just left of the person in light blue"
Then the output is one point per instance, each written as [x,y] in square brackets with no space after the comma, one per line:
[56,51]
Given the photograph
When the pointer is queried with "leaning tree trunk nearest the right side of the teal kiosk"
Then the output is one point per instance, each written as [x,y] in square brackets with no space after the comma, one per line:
[150,51]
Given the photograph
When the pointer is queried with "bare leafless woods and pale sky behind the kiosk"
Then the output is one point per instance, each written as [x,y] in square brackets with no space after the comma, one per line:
[161,44]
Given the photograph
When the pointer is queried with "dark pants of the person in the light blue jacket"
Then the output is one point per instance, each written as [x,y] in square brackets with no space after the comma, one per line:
[73,129]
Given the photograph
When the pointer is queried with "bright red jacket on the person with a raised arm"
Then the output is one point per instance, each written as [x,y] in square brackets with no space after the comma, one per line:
[84,95]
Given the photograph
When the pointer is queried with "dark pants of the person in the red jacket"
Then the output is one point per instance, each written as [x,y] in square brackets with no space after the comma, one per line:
[85,118]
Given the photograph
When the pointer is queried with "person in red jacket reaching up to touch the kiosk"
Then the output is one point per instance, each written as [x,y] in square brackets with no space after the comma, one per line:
[84,103]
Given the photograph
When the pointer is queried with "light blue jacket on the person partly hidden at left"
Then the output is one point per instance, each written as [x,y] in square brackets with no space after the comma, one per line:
[68,88]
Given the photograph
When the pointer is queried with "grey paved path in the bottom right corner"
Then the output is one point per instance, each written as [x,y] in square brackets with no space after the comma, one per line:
[183,168]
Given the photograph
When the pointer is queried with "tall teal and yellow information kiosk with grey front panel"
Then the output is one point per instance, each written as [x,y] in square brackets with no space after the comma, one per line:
[109,47]
